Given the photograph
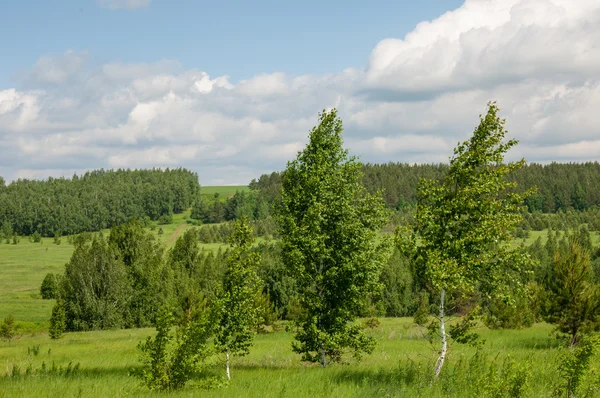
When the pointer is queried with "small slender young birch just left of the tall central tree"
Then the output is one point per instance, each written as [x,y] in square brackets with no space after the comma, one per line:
[236,310]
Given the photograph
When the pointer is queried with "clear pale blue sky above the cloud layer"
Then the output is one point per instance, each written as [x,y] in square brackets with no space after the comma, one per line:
[236,38]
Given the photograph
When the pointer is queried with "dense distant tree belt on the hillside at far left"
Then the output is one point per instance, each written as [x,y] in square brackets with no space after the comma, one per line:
[94,200]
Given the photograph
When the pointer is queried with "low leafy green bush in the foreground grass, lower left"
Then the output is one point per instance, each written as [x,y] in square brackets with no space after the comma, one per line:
[170,362]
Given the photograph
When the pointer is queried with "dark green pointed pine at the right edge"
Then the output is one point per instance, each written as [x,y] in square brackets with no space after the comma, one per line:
[571,300]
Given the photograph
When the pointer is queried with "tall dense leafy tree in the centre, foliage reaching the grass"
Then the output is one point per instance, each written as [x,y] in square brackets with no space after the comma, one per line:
[329,227]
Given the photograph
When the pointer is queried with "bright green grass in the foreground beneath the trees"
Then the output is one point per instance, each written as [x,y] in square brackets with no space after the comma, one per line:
[400,366]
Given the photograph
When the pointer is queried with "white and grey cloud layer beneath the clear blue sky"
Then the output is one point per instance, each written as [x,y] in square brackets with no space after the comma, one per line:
[415,99]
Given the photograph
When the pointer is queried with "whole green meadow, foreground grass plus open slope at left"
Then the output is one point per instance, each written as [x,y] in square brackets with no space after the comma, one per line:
[98,364]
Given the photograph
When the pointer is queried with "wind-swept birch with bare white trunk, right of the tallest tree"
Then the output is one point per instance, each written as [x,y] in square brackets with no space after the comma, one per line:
[463,222]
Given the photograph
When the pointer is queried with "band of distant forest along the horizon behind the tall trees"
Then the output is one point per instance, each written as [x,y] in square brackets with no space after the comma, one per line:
[105,198]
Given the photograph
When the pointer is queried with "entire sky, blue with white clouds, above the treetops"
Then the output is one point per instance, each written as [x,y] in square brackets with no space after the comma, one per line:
[231,89]
